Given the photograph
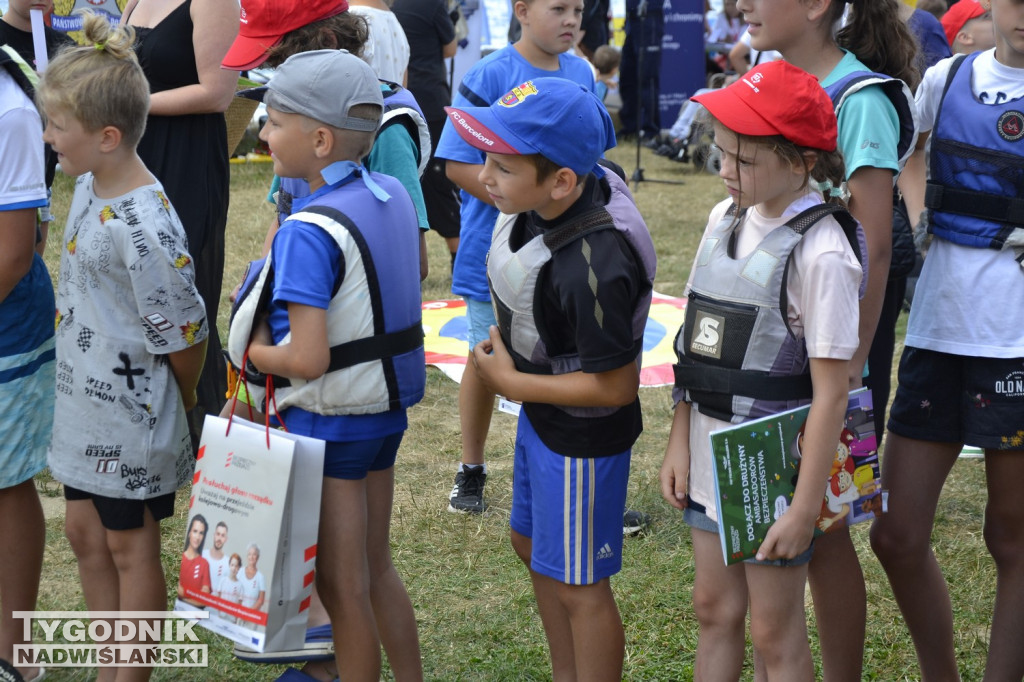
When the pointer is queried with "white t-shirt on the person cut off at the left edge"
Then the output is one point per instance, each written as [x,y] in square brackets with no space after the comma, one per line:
[22,185]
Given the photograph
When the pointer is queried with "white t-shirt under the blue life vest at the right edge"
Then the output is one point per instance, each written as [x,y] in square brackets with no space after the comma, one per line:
[969,302]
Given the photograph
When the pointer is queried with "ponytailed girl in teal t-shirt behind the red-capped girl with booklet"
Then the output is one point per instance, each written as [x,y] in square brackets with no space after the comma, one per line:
[876,134]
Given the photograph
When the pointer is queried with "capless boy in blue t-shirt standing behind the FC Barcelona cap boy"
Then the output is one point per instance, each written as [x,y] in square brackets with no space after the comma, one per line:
[550,28]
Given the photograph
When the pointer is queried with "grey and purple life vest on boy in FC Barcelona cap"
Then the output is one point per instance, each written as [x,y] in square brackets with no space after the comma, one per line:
[514,275]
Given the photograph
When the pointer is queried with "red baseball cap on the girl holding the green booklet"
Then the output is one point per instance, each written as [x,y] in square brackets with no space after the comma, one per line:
[777,99]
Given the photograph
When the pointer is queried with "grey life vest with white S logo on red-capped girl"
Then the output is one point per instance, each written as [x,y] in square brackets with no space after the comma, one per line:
[738,358]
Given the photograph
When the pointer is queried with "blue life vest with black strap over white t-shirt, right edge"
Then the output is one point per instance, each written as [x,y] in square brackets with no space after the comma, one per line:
[975,192]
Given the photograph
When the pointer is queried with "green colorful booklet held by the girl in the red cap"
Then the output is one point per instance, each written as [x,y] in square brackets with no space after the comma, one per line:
[756,467]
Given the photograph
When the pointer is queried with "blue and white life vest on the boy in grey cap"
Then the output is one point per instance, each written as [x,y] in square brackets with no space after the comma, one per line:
[374,318]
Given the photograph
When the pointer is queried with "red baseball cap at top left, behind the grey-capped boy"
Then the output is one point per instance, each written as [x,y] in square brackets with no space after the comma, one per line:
[265,23]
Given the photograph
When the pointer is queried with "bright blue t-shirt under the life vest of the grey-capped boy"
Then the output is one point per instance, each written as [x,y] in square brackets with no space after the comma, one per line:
[308,265]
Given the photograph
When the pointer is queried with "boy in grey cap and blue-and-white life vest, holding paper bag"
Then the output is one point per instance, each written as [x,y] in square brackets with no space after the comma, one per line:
[334,316]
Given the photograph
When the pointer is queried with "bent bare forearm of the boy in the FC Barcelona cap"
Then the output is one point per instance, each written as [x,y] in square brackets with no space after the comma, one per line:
[581,390]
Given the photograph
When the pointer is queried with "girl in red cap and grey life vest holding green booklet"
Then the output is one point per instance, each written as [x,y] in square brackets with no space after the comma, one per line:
[772,323]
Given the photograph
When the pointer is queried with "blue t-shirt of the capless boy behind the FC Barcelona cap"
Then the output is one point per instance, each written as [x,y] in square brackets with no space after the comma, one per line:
[491,78]
